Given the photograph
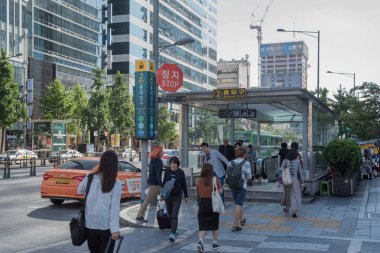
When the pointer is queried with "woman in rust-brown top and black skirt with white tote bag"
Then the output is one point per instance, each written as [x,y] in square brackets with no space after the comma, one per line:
[208,220]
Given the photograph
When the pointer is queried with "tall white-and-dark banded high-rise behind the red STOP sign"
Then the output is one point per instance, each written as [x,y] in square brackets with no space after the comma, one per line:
[131,27]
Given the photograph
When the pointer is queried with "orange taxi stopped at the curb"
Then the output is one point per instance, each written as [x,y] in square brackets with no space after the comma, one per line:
[62,182]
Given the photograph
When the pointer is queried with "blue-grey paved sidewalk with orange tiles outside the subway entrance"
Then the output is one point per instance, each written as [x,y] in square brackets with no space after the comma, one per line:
[328,224]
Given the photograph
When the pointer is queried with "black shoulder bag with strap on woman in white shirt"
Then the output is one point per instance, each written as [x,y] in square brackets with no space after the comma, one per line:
[78,230]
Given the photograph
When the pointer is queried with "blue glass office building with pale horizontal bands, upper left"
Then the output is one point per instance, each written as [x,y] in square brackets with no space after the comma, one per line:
[67,33]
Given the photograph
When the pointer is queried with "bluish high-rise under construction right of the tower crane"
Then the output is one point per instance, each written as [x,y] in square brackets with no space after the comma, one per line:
[284,64]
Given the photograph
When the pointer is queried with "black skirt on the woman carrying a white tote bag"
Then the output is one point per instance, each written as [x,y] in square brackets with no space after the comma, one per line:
[207,219]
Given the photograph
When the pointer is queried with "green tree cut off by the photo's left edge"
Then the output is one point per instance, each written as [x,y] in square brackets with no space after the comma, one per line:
[11,108]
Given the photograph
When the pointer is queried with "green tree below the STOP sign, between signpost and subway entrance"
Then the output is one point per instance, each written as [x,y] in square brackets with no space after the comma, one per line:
[167,132]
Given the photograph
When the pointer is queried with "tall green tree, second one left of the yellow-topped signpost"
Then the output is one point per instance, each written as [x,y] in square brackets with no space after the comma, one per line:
[97,113]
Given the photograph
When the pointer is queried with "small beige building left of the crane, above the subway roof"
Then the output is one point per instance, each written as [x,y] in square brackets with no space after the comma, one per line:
[234,73]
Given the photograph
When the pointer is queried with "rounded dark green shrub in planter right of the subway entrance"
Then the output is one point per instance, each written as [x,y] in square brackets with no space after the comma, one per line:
[344,157]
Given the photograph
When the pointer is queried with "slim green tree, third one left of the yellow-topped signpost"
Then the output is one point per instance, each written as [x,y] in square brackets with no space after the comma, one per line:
[79,102]
